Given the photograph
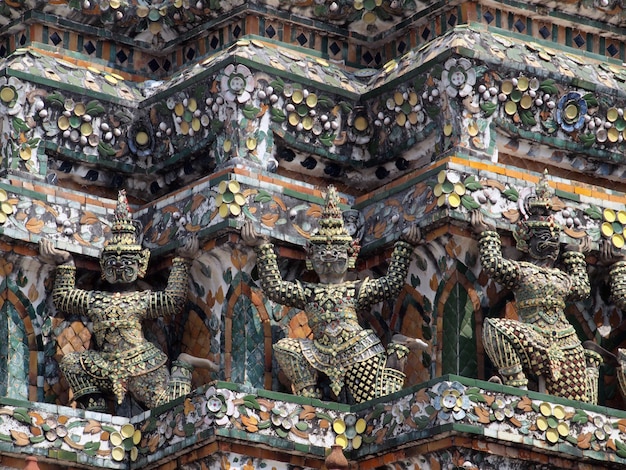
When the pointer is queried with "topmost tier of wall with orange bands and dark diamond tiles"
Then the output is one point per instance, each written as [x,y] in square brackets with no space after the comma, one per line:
[165,26]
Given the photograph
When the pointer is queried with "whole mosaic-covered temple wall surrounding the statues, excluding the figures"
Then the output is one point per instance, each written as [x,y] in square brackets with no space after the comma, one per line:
[212,115]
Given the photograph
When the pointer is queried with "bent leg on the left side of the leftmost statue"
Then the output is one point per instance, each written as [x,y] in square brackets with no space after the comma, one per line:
[88,391]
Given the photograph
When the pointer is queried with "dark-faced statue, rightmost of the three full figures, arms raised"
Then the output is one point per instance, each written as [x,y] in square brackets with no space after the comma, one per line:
[543,342]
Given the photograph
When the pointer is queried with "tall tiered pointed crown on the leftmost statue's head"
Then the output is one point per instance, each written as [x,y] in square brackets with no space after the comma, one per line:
[127,237]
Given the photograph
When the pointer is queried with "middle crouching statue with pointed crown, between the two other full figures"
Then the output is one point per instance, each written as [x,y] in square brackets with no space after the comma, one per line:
[341,349]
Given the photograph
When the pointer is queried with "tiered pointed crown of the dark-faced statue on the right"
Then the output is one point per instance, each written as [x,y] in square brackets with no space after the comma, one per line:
[540,214]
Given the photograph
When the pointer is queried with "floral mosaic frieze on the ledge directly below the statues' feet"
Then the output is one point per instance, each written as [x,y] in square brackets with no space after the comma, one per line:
[260,419]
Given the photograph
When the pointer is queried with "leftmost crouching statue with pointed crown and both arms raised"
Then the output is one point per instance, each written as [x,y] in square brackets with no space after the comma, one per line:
[125,362]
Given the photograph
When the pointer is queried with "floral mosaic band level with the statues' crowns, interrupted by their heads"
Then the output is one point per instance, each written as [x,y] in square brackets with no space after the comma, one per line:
[231,199]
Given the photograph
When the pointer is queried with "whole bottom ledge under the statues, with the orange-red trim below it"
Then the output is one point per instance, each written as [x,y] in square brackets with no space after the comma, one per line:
[369,433]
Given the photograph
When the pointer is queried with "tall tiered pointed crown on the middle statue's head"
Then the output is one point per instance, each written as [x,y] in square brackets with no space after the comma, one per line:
[331,229]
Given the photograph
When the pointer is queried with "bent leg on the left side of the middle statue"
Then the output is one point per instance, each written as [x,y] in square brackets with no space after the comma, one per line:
[302,375]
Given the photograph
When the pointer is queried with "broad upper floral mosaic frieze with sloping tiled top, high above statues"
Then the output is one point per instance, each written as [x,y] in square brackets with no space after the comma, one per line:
[242,110]
